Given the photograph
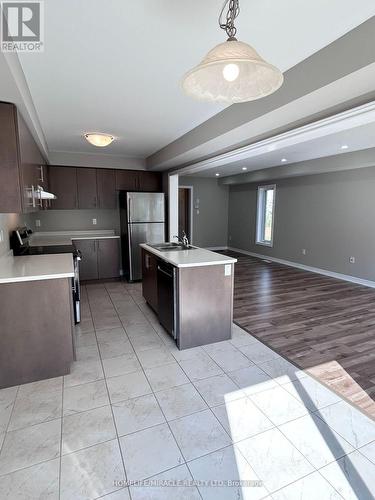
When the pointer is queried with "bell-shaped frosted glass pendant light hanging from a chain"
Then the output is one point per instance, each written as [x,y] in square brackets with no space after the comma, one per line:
[232,71]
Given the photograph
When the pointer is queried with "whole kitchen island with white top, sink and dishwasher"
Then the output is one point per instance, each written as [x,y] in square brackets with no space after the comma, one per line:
[191,291]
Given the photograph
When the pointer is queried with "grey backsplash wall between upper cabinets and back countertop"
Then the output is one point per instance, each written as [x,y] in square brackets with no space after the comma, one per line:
[75,220]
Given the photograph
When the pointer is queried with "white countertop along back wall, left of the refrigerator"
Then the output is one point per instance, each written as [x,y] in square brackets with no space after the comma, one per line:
[65,237]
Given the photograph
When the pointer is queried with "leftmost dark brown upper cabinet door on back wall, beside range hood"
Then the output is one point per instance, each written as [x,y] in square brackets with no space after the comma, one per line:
[63,183]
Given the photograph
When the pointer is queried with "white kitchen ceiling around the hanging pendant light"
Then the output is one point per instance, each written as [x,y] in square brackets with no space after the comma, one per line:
[115,66]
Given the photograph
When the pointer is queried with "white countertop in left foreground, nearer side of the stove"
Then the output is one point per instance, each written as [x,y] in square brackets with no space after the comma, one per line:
[36,267]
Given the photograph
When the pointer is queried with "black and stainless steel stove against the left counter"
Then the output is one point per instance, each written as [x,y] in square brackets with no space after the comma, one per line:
[20,244]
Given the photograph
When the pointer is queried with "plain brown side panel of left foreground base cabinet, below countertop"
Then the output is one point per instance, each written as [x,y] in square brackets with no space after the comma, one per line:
[36,340]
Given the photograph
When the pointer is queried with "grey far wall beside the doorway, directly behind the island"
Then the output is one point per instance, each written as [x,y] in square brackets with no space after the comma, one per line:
[210,226]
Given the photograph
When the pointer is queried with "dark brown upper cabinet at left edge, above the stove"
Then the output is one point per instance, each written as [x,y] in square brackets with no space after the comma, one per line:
[20,163]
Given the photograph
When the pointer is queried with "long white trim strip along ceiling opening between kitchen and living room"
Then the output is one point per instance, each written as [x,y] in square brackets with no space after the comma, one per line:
[345,120]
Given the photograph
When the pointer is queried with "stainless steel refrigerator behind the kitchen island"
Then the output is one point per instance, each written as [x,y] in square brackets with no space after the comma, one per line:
[142,217]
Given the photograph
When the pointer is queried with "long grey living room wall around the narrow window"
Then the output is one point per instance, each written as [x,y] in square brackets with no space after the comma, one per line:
[331,215]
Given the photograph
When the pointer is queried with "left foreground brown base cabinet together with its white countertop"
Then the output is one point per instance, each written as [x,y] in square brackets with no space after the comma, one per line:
[36,318]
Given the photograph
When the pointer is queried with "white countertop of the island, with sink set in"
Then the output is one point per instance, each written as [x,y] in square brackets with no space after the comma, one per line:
[191,258]
